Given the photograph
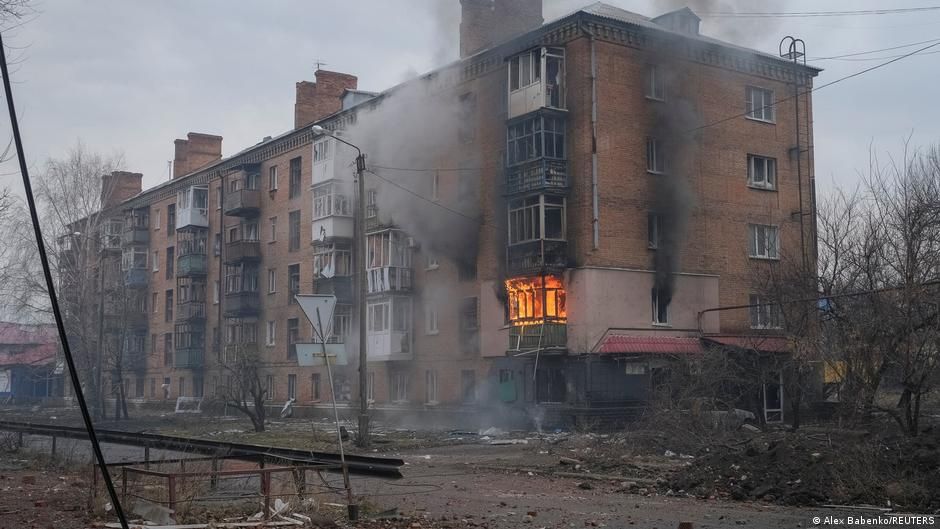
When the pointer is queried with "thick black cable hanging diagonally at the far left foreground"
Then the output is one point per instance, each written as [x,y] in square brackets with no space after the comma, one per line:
[53,300]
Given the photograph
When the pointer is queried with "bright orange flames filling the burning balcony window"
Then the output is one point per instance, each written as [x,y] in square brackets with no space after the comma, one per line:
[531,300]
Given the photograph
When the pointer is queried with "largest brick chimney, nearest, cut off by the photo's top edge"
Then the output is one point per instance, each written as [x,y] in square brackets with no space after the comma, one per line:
[484,23]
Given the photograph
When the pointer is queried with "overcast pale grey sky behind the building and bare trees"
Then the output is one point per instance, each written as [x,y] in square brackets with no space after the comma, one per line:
[131,76]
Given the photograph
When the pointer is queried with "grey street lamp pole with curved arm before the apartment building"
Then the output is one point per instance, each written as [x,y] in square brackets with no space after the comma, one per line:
[363,440]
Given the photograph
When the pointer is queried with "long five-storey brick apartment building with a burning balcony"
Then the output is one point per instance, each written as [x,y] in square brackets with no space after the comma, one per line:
[614,201]
